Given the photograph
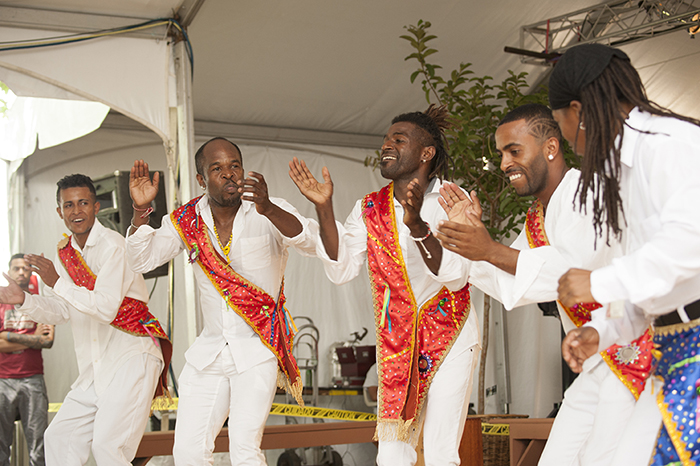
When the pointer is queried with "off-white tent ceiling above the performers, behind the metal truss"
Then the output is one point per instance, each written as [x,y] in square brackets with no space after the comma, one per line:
[339,66]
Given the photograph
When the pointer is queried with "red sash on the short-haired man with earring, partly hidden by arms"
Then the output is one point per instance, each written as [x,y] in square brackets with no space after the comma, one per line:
[631,363]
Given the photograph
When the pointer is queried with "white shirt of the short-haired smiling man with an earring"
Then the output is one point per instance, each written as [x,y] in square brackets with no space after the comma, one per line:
[572,238]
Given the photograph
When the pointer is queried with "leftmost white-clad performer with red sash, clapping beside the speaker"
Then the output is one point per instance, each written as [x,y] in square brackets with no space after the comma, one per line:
[119,345]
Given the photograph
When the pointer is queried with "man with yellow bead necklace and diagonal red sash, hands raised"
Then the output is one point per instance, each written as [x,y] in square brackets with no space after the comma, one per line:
[236,238]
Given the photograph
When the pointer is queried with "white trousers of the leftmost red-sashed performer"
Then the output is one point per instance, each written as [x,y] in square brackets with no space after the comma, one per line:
[112,423]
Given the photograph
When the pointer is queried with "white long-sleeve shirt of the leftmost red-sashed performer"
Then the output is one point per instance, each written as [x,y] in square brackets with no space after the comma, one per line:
[100,349]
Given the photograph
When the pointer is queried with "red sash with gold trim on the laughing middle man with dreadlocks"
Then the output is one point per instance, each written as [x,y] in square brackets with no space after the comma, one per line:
[411,342]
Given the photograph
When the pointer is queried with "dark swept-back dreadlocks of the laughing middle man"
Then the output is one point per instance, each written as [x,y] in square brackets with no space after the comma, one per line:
[433,122]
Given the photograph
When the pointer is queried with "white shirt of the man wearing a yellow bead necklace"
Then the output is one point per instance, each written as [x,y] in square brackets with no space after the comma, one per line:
[258,253]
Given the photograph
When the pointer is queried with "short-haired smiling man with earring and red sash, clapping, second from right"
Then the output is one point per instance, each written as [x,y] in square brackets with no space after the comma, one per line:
[556,237]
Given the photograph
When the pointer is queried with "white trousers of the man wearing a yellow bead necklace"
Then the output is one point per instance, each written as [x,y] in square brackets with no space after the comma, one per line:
[209,396]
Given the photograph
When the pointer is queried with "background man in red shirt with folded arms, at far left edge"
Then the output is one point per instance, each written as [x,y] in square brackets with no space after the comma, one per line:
[22,387]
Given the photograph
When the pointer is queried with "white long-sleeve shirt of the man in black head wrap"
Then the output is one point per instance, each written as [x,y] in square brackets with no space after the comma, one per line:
[660,270]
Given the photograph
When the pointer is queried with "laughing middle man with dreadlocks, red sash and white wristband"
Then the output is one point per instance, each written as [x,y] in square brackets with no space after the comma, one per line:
[427,338]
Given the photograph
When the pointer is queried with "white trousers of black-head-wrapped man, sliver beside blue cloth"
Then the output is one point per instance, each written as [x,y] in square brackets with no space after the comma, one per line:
[639,439]
